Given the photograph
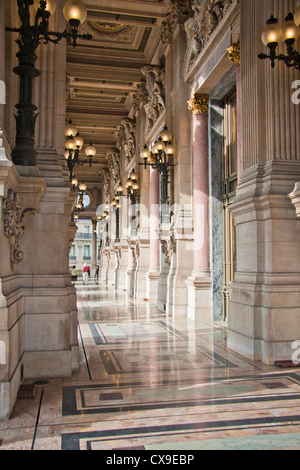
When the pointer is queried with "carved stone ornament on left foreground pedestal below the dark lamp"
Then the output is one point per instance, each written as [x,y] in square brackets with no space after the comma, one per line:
[14,219]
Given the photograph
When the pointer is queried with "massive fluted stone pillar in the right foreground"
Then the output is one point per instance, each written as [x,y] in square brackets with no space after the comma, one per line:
[264,300]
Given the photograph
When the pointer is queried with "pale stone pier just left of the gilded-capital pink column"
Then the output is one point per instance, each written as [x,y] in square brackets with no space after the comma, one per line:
[179,245]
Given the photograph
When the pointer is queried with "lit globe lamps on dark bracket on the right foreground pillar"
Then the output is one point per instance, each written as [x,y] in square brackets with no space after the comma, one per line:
[273,34]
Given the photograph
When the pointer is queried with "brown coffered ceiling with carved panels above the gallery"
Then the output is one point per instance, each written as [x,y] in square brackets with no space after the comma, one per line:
[102,73]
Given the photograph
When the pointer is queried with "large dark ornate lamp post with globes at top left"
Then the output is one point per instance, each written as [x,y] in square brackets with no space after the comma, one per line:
[30,36]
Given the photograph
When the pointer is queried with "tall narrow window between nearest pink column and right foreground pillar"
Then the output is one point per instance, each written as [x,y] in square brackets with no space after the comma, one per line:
[229,185]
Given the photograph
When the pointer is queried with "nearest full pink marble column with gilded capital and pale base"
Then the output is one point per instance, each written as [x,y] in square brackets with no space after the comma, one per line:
[200,283]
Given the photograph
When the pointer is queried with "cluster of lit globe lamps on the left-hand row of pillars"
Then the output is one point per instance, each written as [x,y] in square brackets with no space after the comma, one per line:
[73,145]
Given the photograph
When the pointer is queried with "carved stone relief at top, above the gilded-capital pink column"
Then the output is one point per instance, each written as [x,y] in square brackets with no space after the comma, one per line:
[208,15]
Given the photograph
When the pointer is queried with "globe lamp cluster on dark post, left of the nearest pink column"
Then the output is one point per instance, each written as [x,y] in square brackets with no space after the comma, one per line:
[161,159]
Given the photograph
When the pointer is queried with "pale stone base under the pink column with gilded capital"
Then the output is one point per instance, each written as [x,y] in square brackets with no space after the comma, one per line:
[200,307]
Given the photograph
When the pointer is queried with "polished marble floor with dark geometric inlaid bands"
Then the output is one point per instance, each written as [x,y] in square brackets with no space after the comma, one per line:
[150,382]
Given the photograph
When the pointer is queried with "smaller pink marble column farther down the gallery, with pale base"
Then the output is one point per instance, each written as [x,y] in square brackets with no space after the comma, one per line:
[154,269]
